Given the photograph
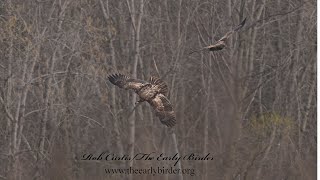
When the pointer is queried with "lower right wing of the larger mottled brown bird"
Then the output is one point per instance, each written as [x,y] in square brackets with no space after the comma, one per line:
[164,110]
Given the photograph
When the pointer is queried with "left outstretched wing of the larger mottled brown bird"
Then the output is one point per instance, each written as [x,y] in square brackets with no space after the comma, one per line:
[125,82]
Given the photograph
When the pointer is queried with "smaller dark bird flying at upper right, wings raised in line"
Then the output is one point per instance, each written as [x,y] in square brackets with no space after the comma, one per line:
[221,43]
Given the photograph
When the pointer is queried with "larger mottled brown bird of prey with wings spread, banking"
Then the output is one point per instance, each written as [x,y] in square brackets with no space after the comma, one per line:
[153,92]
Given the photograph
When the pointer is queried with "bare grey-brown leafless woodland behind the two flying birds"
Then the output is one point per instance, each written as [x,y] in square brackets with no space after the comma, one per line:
[253,105]
